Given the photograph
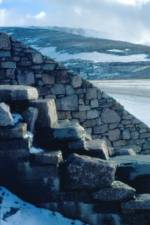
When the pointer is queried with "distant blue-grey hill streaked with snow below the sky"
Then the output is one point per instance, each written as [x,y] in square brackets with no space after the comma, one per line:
[93,58]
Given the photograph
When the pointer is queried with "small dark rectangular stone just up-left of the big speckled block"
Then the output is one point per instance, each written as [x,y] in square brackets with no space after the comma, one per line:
[47,158]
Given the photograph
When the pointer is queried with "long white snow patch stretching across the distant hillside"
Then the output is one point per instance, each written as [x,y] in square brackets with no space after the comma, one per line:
[93,56]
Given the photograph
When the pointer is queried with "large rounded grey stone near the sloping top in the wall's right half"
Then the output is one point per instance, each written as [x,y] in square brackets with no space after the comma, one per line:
[110,116]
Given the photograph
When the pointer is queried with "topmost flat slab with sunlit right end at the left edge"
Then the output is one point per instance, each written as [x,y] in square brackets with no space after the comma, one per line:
[10,93]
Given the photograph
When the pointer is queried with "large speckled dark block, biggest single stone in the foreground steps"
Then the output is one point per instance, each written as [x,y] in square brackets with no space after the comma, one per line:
[83,172]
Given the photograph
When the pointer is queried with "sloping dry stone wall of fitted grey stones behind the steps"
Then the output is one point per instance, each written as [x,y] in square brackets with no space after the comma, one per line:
[77,99]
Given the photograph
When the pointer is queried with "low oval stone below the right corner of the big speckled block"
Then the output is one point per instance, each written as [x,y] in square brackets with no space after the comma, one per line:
[117,192]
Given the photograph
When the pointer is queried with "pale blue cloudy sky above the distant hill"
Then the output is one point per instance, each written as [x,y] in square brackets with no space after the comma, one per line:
[114,19]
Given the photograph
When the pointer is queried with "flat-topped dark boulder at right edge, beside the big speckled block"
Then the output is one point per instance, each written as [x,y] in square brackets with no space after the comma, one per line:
[134,170]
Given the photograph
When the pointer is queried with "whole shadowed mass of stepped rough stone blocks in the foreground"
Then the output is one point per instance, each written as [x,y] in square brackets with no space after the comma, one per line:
[58,166]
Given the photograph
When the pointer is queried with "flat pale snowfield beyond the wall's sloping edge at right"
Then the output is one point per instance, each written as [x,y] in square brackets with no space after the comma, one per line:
[134,95]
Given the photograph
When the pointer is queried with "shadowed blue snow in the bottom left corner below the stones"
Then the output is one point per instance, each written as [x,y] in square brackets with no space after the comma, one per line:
[14,211]
